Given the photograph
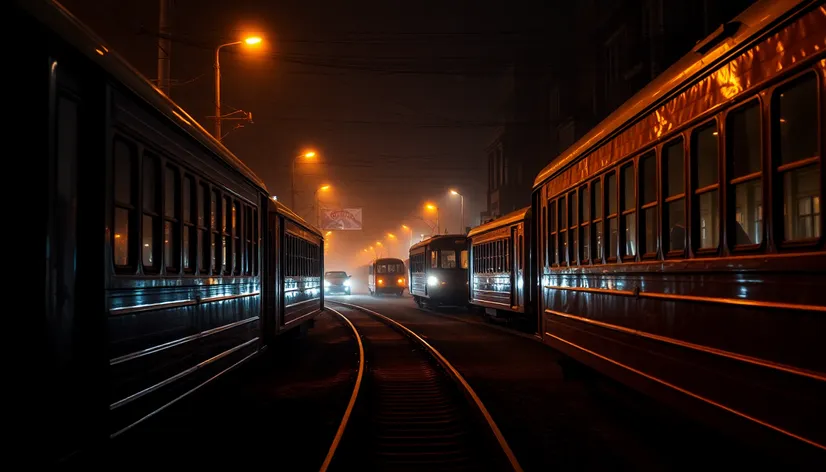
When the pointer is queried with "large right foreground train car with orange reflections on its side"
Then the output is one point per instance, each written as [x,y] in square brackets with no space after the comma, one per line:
[681,241]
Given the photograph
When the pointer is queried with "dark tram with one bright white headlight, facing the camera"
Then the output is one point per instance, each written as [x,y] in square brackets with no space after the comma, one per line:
[438,271]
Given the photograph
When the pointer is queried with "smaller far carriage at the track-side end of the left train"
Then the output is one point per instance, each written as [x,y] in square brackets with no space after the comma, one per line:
[297,266]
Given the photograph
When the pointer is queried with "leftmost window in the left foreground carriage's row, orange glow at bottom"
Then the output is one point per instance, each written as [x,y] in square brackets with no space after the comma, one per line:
[124,216]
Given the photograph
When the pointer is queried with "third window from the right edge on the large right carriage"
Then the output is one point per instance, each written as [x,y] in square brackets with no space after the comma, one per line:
[704,158]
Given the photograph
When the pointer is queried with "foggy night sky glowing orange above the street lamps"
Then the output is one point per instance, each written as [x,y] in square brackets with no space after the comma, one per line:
[398,99]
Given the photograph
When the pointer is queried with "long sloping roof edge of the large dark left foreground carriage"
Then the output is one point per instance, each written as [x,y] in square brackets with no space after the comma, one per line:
[57,18]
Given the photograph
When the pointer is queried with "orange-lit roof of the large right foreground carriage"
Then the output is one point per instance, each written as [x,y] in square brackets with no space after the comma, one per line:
[727,41]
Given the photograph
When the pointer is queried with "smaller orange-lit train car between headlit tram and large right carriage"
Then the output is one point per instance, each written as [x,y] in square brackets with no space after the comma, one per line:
[502,277]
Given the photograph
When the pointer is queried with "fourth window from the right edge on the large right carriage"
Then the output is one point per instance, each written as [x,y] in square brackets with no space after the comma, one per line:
[673,169]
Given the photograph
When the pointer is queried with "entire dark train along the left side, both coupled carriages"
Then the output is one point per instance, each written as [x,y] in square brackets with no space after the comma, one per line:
[166,263]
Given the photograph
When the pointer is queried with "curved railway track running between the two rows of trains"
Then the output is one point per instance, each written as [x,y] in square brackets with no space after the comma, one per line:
[410,408]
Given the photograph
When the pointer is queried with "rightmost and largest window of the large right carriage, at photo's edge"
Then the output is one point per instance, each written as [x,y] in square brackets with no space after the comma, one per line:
[796,127]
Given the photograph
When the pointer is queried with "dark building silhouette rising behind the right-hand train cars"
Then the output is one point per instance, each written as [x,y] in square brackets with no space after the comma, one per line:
[597,54]
